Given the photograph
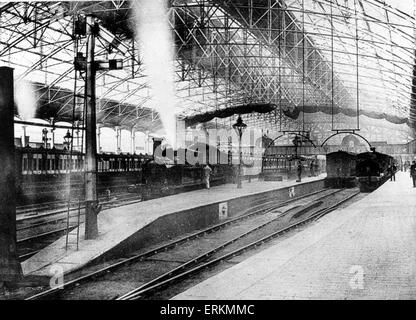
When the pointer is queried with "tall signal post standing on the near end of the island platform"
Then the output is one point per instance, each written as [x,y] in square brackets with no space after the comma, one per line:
[91,200]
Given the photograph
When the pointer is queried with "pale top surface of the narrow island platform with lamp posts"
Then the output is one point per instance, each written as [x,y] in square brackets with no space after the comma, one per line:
[117,224]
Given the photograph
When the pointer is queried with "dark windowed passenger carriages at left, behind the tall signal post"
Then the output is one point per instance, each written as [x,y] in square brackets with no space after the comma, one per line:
[50,174]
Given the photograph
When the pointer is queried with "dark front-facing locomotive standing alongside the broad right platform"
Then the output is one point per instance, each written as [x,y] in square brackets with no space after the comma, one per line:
[371,170]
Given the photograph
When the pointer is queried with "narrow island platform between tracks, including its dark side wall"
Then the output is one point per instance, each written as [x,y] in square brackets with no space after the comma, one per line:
[136,223]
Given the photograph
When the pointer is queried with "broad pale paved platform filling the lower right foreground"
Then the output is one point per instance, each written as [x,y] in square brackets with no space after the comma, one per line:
[365,251]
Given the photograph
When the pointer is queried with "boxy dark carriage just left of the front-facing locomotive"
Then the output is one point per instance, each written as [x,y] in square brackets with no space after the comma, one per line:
[341,169]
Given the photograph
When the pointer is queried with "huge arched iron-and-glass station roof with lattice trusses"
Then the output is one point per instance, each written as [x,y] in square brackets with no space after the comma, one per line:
[266,58]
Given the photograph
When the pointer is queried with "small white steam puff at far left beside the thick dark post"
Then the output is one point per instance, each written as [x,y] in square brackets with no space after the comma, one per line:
[25,99]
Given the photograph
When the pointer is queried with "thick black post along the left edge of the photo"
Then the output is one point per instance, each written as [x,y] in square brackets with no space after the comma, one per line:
[10,270]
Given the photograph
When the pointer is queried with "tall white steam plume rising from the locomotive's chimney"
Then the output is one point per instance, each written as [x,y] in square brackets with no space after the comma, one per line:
[156,47]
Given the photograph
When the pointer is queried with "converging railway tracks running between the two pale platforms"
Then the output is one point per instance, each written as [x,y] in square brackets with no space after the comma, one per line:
[260,221]
